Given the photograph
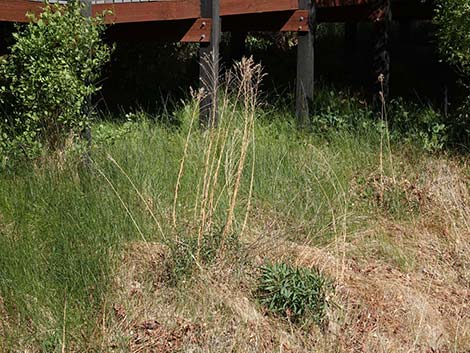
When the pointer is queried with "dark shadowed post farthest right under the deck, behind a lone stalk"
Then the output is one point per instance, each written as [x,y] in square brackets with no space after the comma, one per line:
[381,16]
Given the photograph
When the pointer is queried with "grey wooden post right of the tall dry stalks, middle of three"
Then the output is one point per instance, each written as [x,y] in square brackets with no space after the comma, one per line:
[305,67]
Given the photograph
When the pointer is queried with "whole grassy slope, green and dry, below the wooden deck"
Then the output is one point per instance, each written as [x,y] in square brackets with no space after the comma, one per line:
[255,189]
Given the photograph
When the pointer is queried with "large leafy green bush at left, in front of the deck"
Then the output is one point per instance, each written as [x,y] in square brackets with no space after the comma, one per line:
[47,78]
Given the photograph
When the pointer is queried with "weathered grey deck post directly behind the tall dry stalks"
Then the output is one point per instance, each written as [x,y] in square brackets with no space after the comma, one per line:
[209,65]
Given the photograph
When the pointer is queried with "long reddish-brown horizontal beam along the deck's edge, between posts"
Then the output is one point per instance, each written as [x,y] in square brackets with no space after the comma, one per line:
[132,12]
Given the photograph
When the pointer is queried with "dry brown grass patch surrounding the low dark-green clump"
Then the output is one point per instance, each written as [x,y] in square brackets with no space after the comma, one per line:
[404,286]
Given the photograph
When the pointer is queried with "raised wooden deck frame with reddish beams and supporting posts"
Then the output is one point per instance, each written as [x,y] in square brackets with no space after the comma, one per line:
[203,20]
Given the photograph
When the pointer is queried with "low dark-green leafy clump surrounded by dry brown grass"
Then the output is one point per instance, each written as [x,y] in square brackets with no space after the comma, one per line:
[294,292]
